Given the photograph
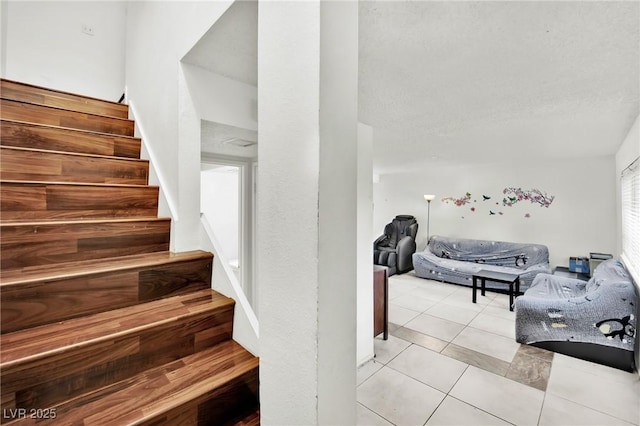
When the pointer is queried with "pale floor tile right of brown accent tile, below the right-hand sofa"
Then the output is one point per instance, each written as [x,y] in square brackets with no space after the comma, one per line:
[596,390]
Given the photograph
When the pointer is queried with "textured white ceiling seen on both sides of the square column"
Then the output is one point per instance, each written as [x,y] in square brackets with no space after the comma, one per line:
[458,82]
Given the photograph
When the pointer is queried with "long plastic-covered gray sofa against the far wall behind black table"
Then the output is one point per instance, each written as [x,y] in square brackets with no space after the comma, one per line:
[455,260]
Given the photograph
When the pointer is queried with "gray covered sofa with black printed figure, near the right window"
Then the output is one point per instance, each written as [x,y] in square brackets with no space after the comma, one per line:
[594,320]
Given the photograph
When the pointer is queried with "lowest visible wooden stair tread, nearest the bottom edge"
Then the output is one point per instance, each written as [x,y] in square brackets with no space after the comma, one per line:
[154,392]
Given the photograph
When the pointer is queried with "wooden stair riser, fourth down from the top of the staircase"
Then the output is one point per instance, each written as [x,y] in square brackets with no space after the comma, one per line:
[52,166]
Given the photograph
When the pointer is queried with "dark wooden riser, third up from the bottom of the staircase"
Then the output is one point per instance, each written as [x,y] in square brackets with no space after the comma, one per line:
[43,302]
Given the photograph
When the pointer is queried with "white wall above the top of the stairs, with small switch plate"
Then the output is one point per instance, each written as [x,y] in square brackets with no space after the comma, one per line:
[45,45]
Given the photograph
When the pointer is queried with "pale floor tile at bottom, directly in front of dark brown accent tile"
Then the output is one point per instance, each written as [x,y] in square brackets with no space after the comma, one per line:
[503,398]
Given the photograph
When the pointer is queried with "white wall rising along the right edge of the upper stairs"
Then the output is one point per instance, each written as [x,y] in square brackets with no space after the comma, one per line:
[159,34]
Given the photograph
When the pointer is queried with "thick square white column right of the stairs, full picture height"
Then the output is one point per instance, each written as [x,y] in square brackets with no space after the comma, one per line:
[307,115]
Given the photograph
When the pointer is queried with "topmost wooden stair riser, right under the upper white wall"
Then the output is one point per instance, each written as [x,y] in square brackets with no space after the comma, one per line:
[39,95]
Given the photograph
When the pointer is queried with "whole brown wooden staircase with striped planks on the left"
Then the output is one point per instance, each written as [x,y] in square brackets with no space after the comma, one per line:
[100,323]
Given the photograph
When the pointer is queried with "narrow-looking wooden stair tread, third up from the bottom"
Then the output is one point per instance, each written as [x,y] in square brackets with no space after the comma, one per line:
[94,266]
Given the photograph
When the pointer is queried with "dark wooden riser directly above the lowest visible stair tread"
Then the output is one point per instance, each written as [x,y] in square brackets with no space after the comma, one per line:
[38,383]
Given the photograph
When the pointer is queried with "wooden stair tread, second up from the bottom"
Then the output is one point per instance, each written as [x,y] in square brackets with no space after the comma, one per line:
[51,339]
